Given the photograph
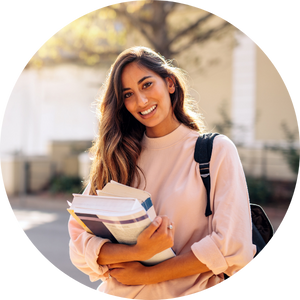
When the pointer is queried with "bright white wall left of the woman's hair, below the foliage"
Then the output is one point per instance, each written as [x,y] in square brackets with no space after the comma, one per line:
[53,103]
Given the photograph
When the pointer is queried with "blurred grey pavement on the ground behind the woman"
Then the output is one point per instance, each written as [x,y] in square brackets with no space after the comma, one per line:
[42,221]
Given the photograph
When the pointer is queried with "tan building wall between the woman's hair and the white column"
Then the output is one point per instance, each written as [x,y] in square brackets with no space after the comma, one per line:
[209,67]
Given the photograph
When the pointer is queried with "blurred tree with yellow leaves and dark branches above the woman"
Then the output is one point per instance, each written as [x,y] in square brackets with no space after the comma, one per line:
[100,32]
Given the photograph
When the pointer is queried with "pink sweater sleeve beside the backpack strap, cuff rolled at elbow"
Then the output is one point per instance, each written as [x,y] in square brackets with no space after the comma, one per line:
[228,248]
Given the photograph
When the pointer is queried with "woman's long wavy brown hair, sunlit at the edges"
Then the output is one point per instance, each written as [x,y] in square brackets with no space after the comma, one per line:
[118,145]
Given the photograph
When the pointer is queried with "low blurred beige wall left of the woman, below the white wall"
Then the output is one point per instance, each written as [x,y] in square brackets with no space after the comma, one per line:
[30,174]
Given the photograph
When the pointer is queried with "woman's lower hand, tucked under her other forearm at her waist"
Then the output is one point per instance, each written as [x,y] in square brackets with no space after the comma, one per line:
[129,273]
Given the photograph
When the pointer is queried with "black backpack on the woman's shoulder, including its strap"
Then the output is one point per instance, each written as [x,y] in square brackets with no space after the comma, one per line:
[262,229]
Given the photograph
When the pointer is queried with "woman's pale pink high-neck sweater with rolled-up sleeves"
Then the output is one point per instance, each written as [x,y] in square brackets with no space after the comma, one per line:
[222,241]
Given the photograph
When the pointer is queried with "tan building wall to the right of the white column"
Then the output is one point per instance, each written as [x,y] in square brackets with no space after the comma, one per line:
[275,100]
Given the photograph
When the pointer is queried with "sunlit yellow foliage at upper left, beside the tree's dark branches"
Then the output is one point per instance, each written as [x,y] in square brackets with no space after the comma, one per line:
[81,39]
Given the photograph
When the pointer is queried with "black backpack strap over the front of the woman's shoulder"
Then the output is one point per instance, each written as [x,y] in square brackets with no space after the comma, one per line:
[202,155]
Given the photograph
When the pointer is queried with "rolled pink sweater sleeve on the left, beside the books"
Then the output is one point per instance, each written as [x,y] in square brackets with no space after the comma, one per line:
[84,249]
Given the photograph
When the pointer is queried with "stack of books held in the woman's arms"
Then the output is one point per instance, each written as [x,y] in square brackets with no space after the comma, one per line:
[119,213]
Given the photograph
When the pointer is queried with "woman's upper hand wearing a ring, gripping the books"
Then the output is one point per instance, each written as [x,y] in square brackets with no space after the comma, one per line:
[155,238]
